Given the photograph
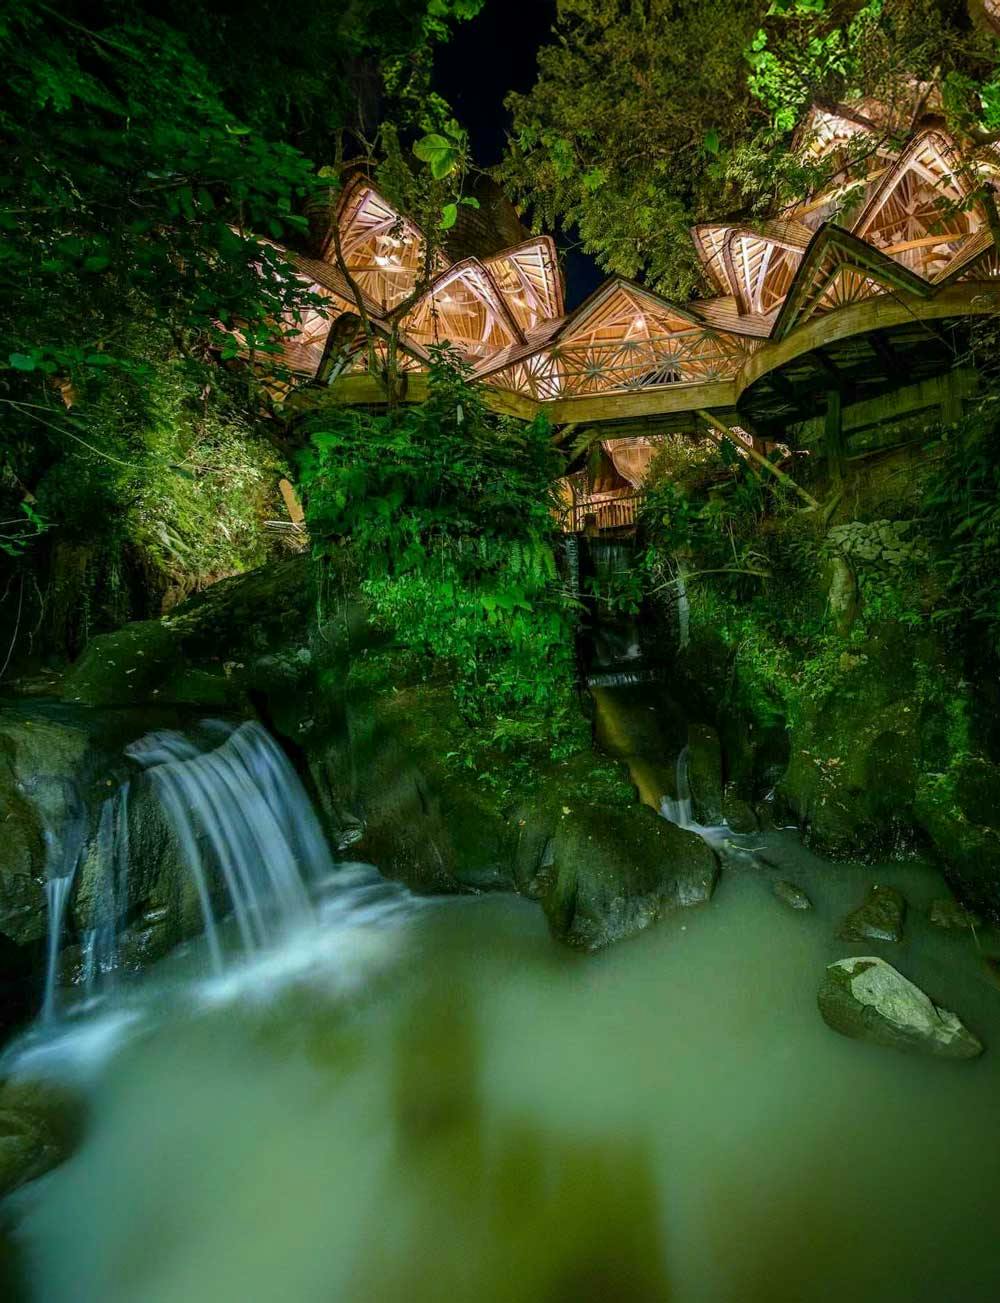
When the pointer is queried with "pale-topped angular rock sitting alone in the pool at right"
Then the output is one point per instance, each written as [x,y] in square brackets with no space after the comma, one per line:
[869,1000]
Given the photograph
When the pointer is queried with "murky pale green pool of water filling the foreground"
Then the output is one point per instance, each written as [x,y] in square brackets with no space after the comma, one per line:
[436,1103]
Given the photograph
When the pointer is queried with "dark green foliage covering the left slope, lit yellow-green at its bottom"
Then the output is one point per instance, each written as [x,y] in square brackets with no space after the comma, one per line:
[157,160]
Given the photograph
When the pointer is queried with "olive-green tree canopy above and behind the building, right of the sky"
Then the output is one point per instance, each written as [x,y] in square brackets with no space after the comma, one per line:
[651,117]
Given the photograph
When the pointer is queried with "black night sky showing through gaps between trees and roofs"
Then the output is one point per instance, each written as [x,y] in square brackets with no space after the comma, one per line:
[486,59]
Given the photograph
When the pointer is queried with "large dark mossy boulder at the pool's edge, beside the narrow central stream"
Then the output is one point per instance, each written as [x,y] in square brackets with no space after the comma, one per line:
[615,872]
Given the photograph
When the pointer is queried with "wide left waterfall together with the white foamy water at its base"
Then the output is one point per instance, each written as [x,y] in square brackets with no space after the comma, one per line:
[265,880]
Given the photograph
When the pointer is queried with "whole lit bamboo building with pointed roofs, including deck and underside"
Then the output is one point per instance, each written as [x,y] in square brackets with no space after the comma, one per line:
[843,315]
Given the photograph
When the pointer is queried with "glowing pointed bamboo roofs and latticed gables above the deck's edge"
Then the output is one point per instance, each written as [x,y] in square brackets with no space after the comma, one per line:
[890,223]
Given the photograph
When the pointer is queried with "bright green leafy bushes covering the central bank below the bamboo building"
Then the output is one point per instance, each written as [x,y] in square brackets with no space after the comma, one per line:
[447,513]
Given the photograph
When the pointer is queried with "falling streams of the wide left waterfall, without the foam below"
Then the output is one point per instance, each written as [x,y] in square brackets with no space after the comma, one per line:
[248,841]
